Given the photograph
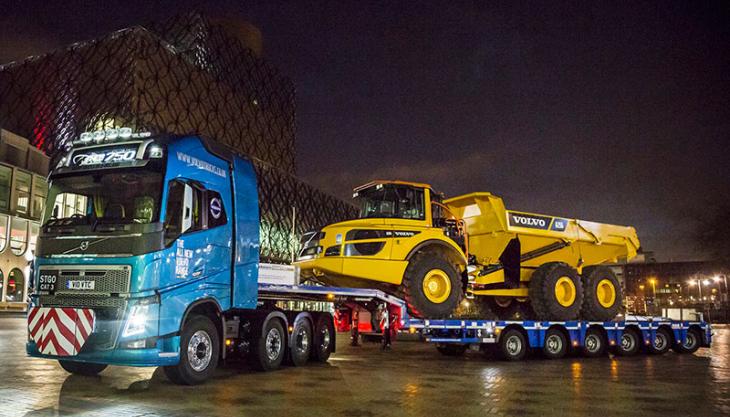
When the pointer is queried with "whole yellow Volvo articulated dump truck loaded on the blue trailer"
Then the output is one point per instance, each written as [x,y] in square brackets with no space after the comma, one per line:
[413,243]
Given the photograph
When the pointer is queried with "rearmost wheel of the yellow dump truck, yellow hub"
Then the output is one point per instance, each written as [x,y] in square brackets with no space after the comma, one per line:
[602,294]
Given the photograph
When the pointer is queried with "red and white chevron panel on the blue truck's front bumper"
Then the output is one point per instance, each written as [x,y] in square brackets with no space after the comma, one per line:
[60,331]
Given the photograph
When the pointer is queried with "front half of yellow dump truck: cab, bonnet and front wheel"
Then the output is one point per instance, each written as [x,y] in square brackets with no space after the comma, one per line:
[402,230]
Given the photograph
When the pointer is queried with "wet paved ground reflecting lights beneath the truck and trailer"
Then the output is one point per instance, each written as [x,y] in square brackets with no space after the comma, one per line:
[412,380]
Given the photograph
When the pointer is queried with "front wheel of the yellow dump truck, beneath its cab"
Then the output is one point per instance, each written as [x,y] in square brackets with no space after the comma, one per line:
[432,286]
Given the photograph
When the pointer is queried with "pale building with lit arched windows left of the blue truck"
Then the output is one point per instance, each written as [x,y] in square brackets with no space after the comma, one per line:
[23,189]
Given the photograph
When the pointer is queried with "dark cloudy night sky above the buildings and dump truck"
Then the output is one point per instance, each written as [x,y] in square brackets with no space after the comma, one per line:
[612,112]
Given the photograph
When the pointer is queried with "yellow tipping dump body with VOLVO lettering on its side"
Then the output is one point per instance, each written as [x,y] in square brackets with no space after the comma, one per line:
[542,238]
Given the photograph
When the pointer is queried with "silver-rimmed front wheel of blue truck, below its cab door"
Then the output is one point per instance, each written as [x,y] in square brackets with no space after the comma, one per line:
[199,352]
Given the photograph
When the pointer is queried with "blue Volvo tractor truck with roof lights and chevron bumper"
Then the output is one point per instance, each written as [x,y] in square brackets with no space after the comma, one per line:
[149,255]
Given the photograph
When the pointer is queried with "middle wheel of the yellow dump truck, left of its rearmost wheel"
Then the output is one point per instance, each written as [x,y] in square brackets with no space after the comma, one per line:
[556,292]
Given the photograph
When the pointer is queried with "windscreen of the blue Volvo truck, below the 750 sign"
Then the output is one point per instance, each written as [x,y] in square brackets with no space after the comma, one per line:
[117,196]
